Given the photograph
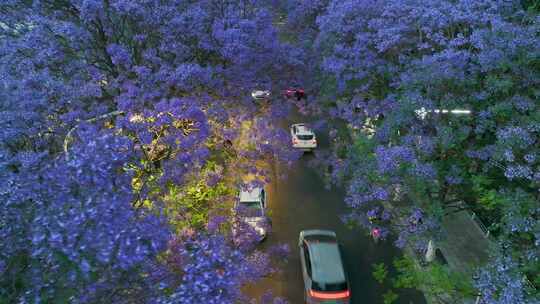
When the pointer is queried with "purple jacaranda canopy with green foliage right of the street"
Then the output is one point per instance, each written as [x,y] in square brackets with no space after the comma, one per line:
[393,71]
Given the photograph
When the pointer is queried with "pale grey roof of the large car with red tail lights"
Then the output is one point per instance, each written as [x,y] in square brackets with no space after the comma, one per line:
[326,263]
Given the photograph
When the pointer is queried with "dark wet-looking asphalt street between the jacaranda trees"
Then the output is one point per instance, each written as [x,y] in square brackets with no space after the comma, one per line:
[299,202]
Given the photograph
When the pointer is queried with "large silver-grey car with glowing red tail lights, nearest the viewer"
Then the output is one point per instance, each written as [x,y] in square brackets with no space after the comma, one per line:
[325,280]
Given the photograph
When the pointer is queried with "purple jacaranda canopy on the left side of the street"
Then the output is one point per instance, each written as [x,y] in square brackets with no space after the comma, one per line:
[105,105]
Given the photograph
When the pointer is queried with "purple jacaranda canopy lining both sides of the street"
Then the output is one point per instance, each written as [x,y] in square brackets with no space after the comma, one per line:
[119,120]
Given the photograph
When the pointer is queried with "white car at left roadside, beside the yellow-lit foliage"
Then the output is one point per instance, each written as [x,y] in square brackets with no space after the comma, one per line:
[250,210]
